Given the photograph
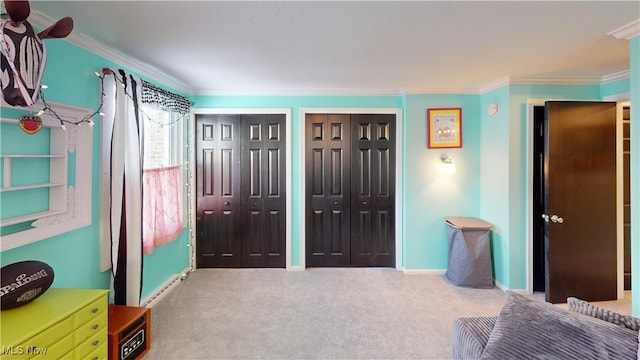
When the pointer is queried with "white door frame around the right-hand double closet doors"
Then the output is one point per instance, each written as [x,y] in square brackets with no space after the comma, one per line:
[399,167]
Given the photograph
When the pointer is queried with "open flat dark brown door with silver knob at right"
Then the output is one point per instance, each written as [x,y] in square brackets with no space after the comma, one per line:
[580,201]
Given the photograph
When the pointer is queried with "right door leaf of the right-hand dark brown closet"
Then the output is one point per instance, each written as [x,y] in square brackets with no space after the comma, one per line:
[373,190]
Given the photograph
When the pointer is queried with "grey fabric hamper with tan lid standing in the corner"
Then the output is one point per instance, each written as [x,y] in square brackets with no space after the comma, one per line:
[469,252]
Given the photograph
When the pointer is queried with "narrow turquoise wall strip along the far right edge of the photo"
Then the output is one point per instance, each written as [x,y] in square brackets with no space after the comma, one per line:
[635,172]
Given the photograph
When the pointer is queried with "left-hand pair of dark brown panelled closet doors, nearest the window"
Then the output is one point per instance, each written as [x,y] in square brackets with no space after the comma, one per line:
[240,219]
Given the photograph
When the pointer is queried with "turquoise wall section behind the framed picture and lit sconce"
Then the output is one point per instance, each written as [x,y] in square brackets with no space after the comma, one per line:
[430,194]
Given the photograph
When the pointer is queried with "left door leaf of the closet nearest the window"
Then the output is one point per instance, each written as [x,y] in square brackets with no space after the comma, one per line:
[218,225]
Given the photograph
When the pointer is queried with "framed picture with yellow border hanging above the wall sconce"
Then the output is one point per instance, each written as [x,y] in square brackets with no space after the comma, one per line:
[444,128]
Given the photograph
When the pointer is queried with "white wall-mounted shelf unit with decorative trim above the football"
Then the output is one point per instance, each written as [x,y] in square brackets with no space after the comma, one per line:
[68,185]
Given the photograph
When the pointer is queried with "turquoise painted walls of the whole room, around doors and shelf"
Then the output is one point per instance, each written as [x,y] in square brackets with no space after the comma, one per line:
[490,181]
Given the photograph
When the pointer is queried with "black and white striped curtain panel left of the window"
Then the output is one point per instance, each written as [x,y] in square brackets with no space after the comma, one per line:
[121,212]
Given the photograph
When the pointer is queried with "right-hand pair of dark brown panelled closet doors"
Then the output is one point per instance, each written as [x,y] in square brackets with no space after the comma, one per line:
[350,190]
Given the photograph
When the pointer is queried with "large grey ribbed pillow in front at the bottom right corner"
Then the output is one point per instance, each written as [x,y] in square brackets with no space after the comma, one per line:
[531,329]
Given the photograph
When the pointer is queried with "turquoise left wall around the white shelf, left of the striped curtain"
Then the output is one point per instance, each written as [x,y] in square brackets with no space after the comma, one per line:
[74,256]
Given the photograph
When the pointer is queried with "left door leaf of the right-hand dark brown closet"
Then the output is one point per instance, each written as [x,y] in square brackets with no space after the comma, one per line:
[328,143]
